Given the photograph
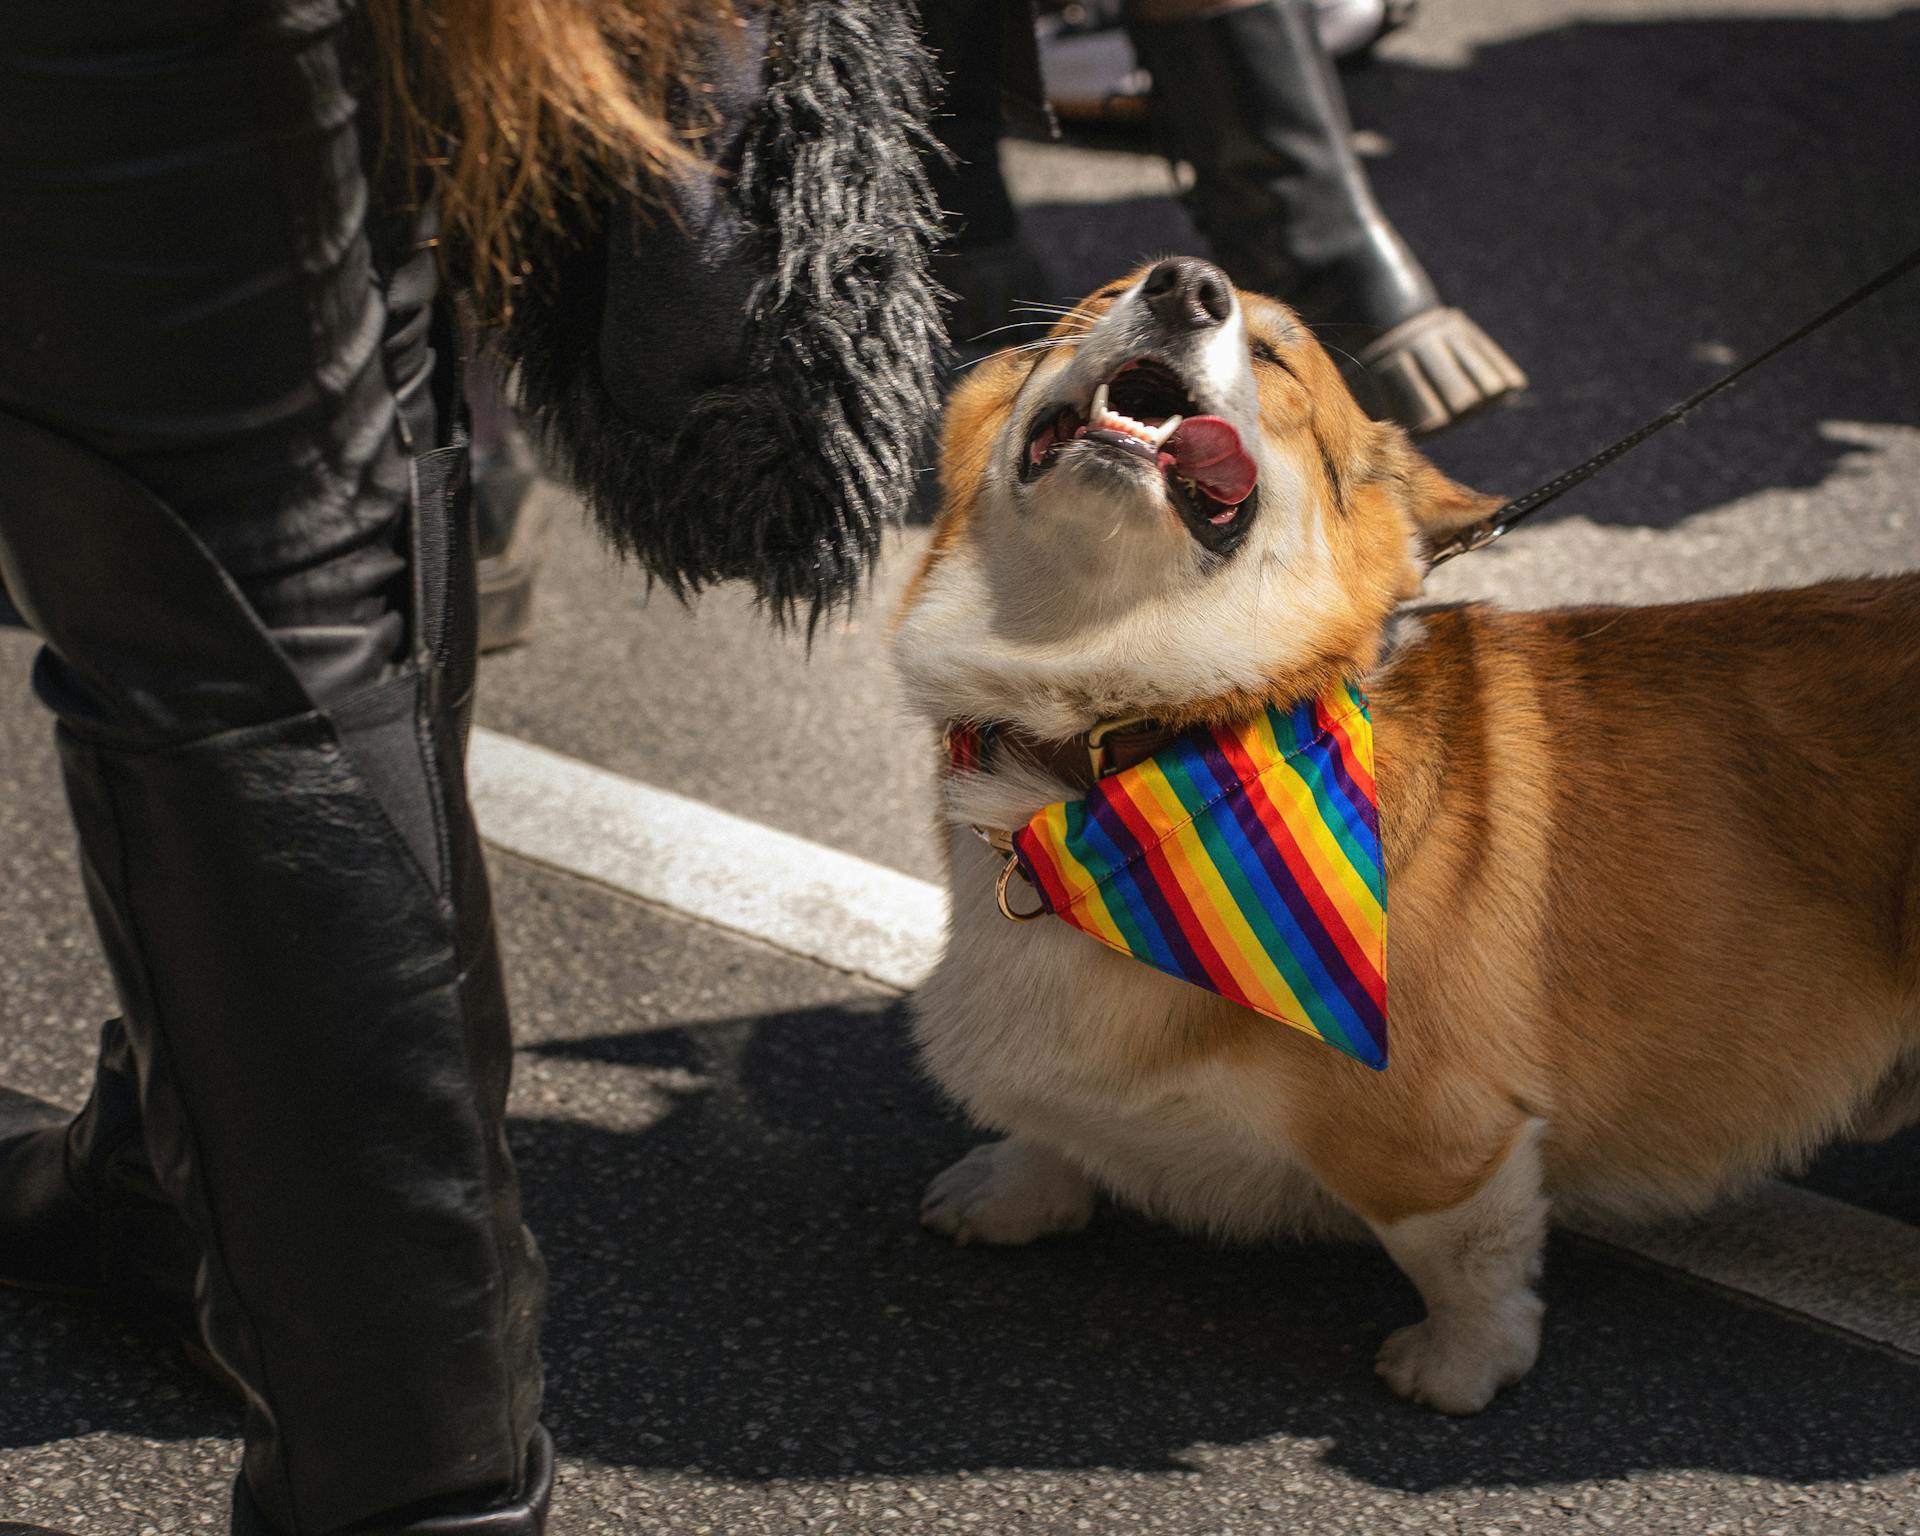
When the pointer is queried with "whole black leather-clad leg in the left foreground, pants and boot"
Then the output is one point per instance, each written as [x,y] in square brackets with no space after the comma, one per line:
[233,506]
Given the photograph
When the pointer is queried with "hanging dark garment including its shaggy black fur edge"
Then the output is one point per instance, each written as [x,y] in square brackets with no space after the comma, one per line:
[740,385]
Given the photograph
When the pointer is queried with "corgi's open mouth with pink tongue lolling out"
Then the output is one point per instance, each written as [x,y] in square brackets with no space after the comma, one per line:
[1145,412]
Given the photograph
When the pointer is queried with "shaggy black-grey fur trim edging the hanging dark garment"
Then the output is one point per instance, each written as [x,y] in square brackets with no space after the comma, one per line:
[790,473]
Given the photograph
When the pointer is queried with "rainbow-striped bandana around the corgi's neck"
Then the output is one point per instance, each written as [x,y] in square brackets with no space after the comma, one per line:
[1245,859]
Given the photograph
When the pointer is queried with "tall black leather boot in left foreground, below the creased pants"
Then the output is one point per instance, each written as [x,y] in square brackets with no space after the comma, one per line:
[299,926]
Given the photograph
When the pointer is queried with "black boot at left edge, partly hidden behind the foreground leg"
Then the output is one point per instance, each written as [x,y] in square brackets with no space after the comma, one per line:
[80,1209]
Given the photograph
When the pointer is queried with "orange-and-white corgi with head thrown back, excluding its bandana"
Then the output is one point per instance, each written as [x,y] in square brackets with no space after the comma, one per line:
[1652,875]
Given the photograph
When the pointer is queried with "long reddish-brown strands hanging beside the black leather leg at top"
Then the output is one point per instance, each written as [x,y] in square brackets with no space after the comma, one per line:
[523,108]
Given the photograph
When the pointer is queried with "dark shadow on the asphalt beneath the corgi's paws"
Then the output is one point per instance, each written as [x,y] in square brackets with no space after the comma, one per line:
[744,1289]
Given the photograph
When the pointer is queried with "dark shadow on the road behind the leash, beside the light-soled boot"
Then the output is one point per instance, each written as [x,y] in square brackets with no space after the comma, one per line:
[1631,206]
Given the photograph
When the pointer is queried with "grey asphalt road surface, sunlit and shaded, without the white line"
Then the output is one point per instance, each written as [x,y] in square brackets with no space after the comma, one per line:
[725,1143]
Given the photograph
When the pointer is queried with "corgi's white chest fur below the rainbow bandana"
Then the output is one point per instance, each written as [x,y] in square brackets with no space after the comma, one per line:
[1047,1034]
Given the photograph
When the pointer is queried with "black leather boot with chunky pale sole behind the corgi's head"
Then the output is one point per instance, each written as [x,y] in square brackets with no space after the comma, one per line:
[1253,103]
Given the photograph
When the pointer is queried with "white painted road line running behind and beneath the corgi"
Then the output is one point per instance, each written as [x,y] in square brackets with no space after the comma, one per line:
[1804,1253]
